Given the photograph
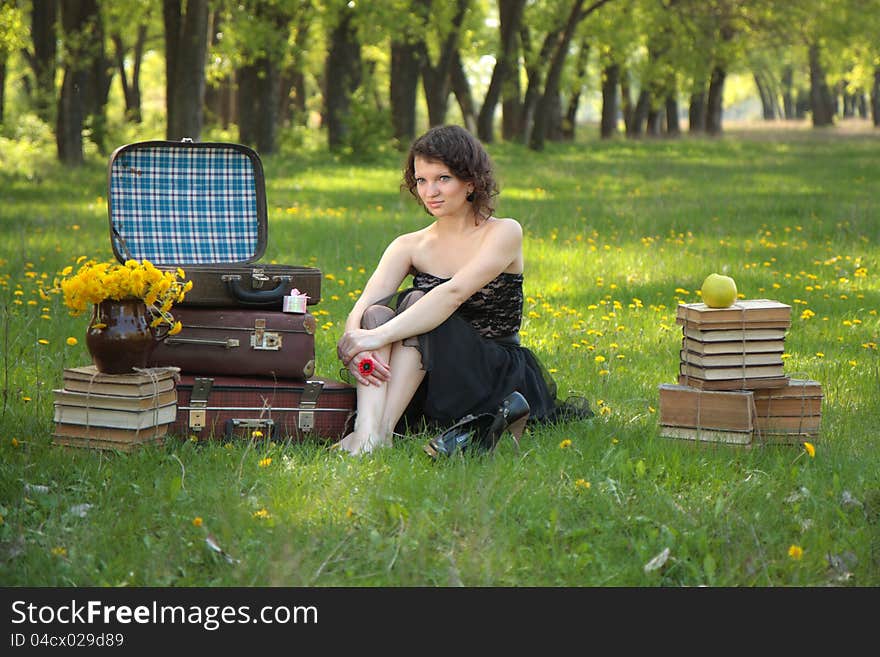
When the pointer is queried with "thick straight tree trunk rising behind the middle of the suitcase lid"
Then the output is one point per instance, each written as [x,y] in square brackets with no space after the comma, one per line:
[186,44]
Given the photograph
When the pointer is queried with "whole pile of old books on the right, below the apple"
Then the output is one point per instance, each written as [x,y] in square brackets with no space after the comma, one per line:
[732,387]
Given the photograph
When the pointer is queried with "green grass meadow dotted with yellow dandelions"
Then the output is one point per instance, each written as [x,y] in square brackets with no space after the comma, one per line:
[617,234]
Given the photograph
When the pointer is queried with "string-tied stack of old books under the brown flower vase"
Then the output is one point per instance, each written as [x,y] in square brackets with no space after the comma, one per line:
[114,411]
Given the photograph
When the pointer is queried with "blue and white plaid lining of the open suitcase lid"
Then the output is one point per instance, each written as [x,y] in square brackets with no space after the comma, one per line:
[184,205]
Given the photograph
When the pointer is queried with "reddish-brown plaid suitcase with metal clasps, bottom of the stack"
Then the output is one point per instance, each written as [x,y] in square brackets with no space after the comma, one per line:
[228,408]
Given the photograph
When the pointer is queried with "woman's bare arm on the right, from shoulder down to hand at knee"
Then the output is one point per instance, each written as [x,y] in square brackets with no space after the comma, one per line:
[500,248]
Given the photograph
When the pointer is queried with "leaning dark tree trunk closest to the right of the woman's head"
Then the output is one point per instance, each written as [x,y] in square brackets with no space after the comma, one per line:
[510,18]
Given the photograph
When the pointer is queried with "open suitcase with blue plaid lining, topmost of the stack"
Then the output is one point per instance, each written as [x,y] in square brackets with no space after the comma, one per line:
[201,207]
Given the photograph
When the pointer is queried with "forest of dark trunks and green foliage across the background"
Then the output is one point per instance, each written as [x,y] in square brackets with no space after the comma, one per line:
[364,76]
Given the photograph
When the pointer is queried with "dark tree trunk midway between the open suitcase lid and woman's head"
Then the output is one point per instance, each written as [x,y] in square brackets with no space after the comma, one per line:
[342,77]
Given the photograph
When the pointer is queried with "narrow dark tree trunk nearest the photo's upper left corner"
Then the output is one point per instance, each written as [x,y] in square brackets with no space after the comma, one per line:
[44,16]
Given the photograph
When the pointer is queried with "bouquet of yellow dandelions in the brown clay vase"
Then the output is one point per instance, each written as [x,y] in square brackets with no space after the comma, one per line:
[96,282]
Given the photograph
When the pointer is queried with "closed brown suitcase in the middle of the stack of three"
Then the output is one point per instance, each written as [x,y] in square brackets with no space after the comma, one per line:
[239,342]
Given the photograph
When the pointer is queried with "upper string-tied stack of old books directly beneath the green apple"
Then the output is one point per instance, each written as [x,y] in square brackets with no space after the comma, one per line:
[739,347]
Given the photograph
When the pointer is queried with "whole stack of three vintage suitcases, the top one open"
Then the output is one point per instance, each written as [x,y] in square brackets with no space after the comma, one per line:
[247,348]
